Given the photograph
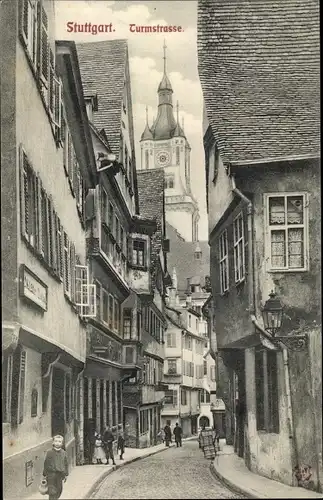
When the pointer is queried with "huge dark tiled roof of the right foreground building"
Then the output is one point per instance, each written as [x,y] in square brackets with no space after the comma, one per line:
[259,69]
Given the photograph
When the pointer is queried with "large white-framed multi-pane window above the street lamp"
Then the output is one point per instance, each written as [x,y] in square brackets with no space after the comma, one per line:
[287,228]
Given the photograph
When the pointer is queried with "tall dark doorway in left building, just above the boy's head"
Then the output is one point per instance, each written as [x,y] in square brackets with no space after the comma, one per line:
[58,413]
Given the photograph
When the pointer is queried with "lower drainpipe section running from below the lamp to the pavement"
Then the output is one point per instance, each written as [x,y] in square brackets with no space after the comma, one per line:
[291,429]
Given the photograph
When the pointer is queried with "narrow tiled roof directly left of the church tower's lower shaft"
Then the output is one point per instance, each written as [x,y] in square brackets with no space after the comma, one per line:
[152,205]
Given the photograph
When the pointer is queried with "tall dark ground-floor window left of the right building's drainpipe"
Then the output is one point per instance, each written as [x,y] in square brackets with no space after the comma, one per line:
[267,398]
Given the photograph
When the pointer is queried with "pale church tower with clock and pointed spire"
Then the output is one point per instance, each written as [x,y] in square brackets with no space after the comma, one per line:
[164,144]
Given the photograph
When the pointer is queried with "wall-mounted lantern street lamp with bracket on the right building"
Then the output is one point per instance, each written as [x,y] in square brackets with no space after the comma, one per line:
[272,314]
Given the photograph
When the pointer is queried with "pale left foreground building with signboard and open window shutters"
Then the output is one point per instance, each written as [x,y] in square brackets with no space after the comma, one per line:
[48,167]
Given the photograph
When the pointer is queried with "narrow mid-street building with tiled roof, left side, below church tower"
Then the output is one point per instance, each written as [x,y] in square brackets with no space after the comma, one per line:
[144,394]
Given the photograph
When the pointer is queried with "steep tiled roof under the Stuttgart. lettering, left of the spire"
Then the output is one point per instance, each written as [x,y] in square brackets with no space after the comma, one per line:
[102,66]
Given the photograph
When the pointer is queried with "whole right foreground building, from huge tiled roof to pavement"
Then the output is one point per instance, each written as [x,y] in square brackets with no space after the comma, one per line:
[262,172]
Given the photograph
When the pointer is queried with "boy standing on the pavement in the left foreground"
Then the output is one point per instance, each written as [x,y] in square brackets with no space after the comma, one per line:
[56,468]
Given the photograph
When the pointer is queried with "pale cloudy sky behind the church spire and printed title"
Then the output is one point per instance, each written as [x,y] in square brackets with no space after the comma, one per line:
[146,65]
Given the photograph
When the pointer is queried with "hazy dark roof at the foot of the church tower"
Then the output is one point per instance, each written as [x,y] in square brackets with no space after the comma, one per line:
[181,256]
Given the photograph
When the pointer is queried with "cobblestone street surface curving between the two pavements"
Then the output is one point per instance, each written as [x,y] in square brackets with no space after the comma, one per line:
[176,473]
